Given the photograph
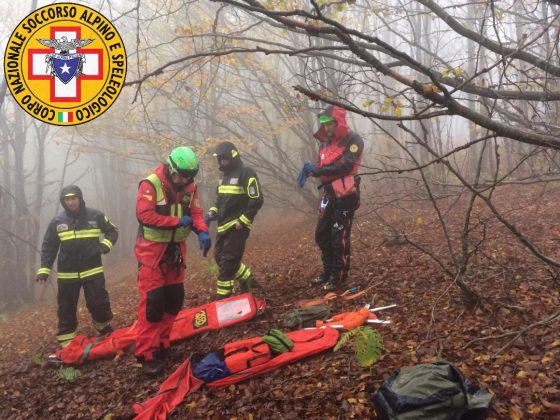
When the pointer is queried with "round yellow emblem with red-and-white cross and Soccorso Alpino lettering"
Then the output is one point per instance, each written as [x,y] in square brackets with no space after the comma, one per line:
[65,64]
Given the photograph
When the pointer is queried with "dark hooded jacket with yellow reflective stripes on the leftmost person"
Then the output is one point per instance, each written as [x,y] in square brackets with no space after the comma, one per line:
[75,237]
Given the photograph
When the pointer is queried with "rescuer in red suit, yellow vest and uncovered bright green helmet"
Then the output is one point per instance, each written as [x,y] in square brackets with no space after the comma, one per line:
[167,208]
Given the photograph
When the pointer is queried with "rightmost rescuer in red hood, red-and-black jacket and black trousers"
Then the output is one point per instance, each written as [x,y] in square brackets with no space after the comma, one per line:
[340,154]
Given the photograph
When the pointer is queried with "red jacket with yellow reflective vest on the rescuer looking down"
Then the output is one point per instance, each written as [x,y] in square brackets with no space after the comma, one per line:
[158,209]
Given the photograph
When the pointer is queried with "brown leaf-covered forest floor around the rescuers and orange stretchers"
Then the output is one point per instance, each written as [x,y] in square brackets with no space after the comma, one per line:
[431,322]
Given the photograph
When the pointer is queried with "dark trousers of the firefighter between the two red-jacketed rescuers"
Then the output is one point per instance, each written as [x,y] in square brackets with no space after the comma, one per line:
[228,253]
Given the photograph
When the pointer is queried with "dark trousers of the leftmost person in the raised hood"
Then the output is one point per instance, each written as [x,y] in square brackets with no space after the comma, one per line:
[97,302]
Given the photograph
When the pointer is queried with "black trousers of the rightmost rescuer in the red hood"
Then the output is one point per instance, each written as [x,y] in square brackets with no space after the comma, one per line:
[332,235]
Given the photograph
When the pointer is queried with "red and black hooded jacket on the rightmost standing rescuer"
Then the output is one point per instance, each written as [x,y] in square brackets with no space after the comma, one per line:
[342,155]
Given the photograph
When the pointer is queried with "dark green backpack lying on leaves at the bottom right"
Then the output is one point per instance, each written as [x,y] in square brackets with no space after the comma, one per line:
[434,391]
